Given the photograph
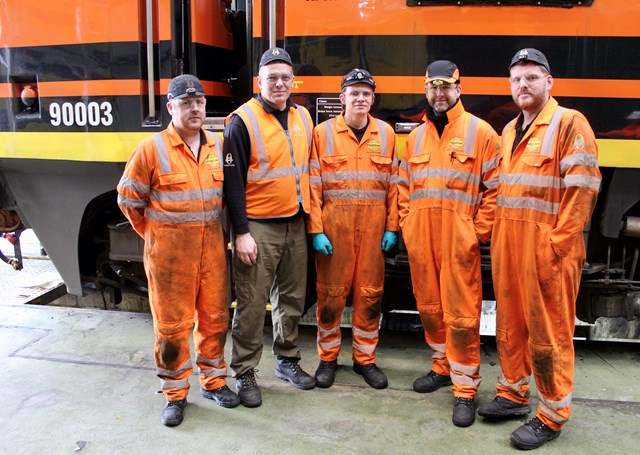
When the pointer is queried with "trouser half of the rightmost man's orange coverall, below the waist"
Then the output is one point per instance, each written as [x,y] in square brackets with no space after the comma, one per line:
[548,294]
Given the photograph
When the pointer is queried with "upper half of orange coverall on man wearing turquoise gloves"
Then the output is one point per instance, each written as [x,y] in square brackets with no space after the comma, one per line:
[367,177]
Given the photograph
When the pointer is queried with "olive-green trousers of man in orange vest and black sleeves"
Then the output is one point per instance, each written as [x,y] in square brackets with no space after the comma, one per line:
[282,260]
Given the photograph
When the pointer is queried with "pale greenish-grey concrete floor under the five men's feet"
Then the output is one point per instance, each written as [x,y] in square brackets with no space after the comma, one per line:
[83,381]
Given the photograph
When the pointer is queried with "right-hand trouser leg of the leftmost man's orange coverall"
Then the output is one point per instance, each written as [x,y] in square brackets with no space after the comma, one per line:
[212,311]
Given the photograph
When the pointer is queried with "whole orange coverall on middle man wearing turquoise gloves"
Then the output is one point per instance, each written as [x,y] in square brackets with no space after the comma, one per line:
[353,202]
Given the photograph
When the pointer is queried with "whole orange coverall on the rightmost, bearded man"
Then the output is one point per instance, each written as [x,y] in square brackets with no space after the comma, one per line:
[547,190]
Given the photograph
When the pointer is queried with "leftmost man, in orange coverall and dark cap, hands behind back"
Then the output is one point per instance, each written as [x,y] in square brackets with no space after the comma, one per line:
[171,192]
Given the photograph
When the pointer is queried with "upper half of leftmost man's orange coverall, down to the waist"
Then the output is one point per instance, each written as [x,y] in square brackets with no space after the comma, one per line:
[160,186]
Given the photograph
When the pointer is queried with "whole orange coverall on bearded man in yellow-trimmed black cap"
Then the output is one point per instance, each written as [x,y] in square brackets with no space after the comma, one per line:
[446,194]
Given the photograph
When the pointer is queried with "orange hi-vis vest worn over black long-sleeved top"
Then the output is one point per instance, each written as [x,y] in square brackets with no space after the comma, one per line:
[277,182]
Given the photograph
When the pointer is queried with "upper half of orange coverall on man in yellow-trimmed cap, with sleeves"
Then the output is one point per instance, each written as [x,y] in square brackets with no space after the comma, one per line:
[454,175]
